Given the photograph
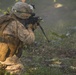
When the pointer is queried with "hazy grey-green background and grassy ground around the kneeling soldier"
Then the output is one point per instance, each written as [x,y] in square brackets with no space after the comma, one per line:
[57,57]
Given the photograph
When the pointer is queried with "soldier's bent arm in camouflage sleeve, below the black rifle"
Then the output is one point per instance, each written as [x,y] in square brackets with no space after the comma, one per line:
[25,35]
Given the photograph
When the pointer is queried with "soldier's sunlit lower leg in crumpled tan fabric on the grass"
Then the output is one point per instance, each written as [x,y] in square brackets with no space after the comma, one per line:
[15,66]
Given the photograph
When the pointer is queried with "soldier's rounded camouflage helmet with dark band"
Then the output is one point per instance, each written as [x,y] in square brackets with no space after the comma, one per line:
[22,10]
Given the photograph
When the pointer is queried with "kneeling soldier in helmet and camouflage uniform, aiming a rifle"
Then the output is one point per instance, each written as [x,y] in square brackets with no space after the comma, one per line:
[14,36]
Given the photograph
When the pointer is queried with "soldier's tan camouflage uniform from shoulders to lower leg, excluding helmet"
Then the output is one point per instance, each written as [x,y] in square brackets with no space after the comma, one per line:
[15,34]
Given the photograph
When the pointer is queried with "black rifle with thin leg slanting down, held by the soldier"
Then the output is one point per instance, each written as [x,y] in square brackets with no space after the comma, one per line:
[35,20]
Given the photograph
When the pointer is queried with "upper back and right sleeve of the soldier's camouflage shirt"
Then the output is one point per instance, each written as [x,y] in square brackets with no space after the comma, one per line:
[17,29]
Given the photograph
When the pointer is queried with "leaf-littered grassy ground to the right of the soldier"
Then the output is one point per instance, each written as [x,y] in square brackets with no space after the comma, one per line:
[57,57]
